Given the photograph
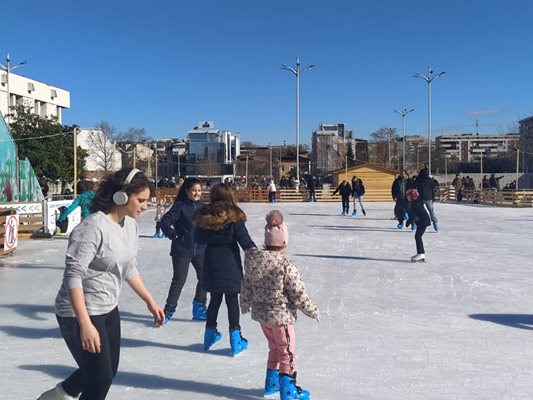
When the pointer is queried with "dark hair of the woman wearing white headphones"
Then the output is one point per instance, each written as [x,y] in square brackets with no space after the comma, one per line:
[103,201]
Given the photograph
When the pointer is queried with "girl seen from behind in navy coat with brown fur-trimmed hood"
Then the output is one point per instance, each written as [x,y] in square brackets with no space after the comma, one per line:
[221,226]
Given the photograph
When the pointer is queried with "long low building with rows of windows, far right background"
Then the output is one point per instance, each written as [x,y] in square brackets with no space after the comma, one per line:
[471,147]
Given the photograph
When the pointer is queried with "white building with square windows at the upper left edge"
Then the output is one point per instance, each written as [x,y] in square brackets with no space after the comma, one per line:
[43,99]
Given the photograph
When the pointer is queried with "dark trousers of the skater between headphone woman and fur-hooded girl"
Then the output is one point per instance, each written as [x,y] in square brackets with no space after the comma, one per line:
[181,269]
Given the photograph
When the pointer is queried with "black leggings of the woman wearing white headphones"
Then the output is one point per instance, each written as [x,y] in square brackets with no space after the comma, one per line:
[96,370]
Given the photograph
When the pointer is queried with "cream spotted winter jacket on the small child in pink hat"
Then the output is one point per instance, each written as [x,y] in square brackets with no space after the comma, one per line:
[273,289]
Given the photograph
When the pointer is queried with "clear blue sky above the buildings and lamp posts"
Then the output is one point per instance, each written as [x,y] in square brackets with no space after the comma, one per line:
[165,65]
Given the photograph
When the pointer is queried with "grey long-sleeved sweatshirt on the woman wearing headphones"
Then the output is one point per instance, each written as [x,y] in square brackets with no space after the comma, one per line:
[101,255]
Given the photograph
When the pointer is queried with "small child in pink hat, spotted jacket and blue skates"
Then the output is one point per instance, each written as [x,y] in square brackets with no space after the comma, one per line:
[273,291]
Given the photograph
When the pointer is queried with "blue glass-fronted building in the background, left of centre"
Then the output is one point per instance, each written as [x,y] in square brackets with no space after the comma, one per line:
[211,151]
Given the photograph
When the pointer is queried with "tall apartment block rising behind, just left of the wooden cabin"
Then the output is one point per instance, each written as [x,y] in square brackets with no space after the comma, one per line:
[329,148]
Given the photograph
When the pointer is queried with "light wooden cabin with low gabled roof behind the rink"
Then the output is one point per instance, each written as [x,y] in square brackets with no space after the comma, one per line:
[377,180]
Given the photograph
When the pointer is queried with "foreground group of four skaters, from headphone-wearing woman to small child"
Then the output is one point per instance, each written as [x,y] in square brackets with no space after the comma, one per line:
[102,256]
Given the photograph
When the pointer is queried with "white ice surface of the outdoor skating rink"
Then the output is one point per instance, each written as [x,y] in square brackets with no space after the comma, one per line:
[459,326]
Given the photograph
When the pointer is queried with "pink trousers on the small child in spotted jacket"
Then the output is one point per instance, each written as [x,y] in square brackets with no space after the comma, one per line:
[281,346]
